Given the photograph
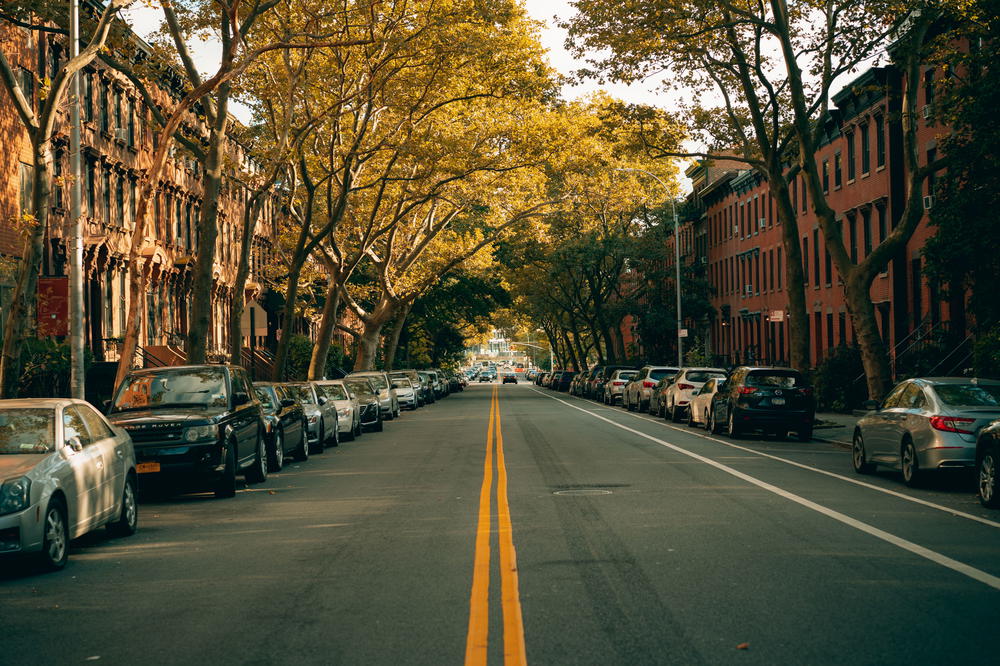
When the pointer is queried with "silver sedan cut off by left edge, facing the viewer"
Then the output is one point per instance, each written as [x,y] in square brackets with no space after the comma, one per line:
[64,471]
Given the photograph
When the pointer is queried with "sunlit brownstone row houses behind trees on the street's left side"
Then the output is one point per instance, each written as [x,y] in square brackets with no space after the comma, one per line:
[118,143]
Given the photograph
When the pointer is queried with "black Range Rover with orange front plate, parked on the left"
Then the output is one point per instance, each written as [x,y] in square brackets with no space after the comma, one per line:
[198,425]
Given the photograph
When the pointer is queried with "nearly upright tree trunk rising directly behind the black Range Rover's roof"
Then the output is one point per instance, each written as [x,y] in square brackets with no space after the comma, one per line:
[208,232]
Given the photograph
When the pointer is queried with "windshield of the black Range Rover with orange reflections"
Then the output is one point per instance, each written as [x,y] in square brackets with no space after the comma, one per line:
[204,387]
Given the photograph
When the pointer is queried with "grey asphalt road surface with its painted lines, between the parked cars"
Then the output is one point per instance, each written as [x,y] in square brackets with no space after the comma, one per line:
[636,542]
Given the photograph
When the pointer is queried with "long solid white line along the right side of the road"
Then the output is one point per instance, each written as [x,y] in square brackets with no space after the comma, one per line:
[916,549]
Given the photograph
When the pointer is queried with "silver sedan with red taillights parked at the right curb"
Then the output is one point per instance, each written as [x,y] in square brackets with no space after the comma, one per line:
[926,424]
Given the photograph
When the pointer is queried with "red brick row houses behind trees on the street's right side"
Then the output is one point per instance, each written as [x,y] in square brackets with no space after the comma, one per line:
[736,235]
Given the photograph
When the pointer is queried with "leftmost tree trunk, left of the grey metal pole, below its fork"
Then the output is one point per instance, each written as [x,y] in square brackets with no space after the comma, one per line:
[20,318]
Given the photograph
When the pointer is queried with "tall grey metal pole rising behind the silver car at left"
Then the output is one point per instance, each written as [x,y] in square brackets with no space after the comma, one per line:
[74,231]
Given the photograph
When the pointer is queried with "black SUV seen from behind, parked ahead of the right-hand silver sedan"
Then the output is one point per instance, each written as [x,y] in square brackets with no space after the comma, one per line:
[774,400]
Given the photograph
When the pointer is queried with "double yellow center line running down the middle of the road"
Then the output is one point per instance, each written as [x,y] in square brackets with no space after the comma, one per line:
[477,640]
